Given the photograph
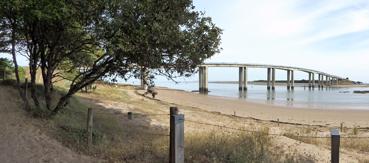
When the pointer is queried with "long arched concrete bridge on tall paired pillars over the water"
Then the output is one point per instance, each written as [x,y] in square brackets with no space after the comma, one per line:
[320,83]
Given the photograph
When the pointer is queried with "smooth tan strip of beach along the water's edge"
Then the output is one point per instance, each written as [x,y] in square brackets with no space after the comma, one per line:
[327,116]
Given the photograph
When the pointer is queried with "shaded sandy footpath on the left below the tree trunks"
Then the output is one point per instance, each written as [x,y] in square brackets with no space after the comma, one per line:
[20,141]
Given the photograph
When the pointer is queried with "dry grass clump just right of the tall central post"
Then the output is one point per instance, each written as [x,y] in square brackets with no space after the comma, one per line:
[226,147]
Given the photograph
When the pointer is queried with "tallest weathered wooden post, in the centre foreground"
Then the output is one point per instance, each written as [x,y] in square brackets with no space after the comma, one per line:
[176,147]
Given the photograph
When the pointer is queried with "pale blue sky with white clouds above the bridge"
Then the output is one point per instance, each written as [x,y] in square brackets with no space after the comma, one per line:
[326,35]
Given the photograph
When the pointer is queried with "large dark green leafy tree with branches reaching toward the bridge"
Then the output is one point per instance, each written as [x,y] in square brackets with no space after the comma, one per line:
[106,38]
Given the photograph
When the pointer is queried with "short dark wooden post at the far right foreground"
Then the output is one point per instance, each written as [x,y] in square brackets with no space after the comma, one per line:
[335,145]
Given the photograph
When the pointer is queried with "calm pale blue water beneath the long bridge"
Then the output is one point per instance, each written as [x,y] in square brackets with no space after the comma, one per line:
[342,98]
